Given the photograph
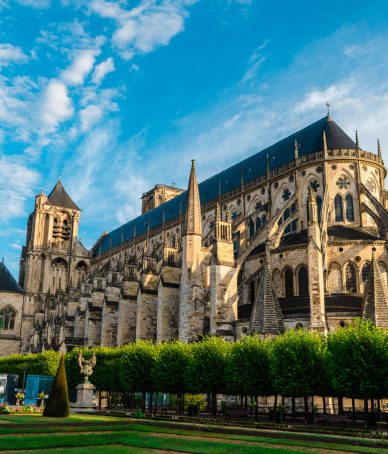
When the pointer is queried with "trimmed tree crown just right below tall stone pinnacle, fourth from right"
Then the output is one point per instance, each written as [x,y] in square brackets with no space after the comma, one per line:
[205,371]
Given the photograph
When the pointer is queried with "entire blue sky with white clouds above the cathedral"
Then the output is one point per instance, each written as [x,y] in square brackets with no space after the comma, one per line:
[120,95]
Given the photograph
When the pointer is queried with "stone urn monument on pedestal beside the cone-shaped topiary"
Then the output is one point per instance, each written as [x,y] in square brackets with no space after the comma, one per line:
[85,390]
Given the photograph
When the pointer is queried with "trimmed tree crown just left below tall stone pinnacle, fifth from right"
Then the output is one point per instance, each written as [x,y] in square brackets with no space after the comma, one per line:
[169,369]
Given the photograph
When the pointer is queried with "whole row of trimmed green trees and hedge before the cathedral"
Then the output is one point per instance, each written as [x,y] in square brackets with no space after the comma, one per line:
[351,362]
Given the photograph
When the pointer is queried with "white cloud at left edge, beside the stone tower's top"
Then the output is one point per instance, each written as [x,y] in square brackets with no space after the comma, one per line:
[17,183]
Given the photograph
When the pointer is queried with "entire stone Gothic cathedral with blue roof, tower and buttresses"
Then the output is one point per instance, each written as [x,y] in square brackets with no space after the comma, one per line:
[294,236]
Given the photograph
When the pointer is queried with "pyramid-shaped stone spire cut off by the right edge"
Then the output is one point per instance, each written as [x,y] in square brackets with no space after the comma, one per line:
[375,305]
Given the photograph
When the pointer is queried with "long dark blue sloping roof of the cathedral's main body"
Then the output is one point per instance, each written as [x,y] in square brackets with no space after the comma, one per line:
[310,140]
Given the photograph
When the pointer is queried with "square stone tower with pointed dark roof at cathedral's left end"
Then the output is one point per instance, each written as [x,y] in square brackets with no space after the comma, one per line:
[52,266]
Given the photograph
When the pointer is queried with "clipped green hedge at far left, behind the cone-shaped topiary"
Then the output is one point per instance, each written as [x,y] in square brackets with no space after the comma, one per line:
[36,364]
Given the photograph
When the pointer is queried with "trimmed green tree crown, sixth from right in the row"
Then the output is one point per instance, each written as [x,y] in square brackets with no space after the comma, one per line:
[135,366]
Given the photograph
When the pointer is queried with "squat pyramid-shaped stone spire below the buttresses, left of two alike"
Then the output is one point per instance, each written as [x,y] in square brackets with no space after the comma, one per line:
[266,316]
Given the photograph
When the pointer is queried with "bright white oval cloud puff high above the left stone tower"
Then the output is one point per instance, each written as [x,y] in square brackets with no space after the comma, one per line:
[56,106]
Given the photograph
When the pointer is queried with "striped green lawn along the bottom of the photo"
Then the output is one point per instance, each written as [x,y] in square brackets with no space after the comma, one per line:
[83,433]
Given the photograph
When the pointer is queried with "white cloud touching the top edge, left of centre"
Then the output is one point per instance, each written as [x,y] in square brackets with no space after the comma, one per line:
[145,27]
